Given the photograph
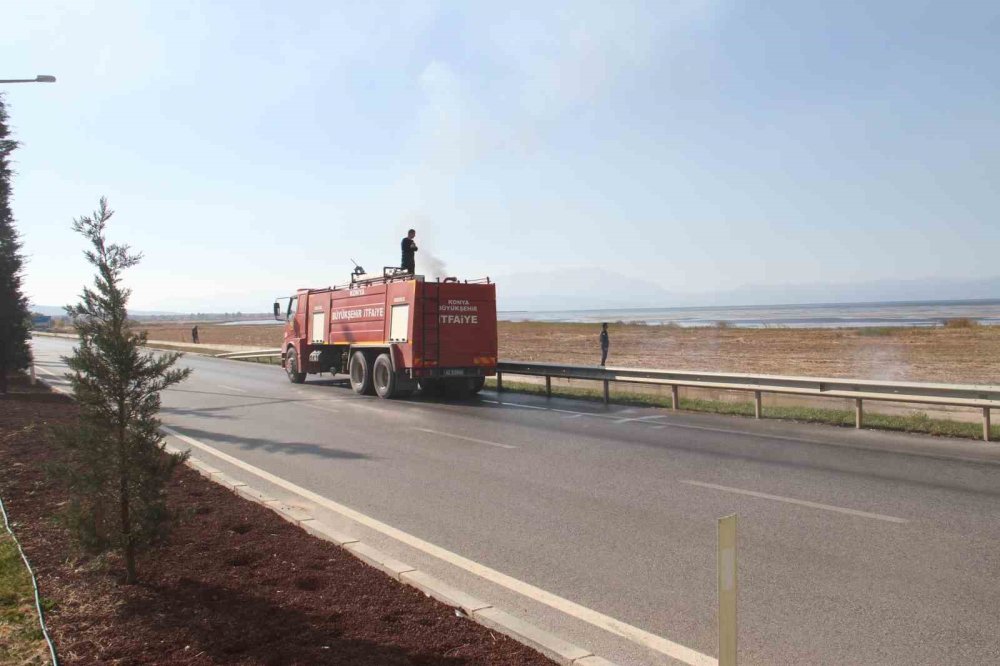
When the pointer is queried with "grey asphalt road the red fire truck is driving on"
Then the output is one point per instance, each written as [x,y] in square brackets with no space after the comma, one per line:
[855,547]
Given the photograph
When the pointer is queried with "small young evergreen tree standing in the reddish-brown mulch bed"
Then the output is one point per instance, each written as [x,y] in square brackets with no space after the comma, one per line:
[117,466]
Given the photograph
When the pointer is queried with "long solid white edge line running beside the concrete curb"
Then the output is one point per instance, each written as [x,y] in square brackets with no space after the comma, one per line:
[595,618]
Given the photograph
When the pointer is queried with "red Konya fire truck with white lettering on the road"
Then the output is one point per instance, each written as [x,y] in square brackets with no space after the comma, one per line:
[393,333]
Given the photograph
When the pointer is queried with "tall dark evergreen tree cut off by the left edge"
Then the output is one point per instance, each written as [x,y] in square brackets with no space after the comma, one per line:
[15,354]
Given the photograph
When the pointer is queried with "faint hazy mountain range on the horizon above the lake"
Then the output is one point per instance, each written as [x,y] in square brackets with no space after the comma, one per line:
[600,289]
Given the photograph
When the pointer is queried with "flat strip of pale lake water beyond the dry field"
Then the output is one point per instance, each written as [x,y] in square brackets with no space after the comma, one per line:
[824,315]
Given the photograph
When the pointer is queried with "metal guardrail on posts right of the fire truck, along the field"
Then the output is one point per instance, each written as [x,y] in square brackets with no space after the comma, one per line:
[959,395]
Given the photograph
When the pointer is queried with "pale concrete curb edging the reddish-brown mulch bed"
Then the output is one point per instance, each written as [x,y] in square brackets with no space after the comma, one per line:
[478,611]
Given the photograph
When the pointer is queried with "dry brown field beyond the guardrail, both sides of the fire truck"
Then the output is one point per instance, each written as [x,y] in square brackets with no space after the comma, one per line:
[950,355]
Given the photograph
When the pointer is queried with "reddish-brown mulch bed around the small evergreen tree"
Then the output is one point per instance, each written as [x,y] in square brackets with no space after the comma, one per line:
[234,584]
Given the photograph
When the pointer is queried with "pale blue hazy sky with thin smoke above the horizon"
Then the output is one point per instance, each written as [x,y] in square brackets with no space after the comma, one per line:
[253,147]
